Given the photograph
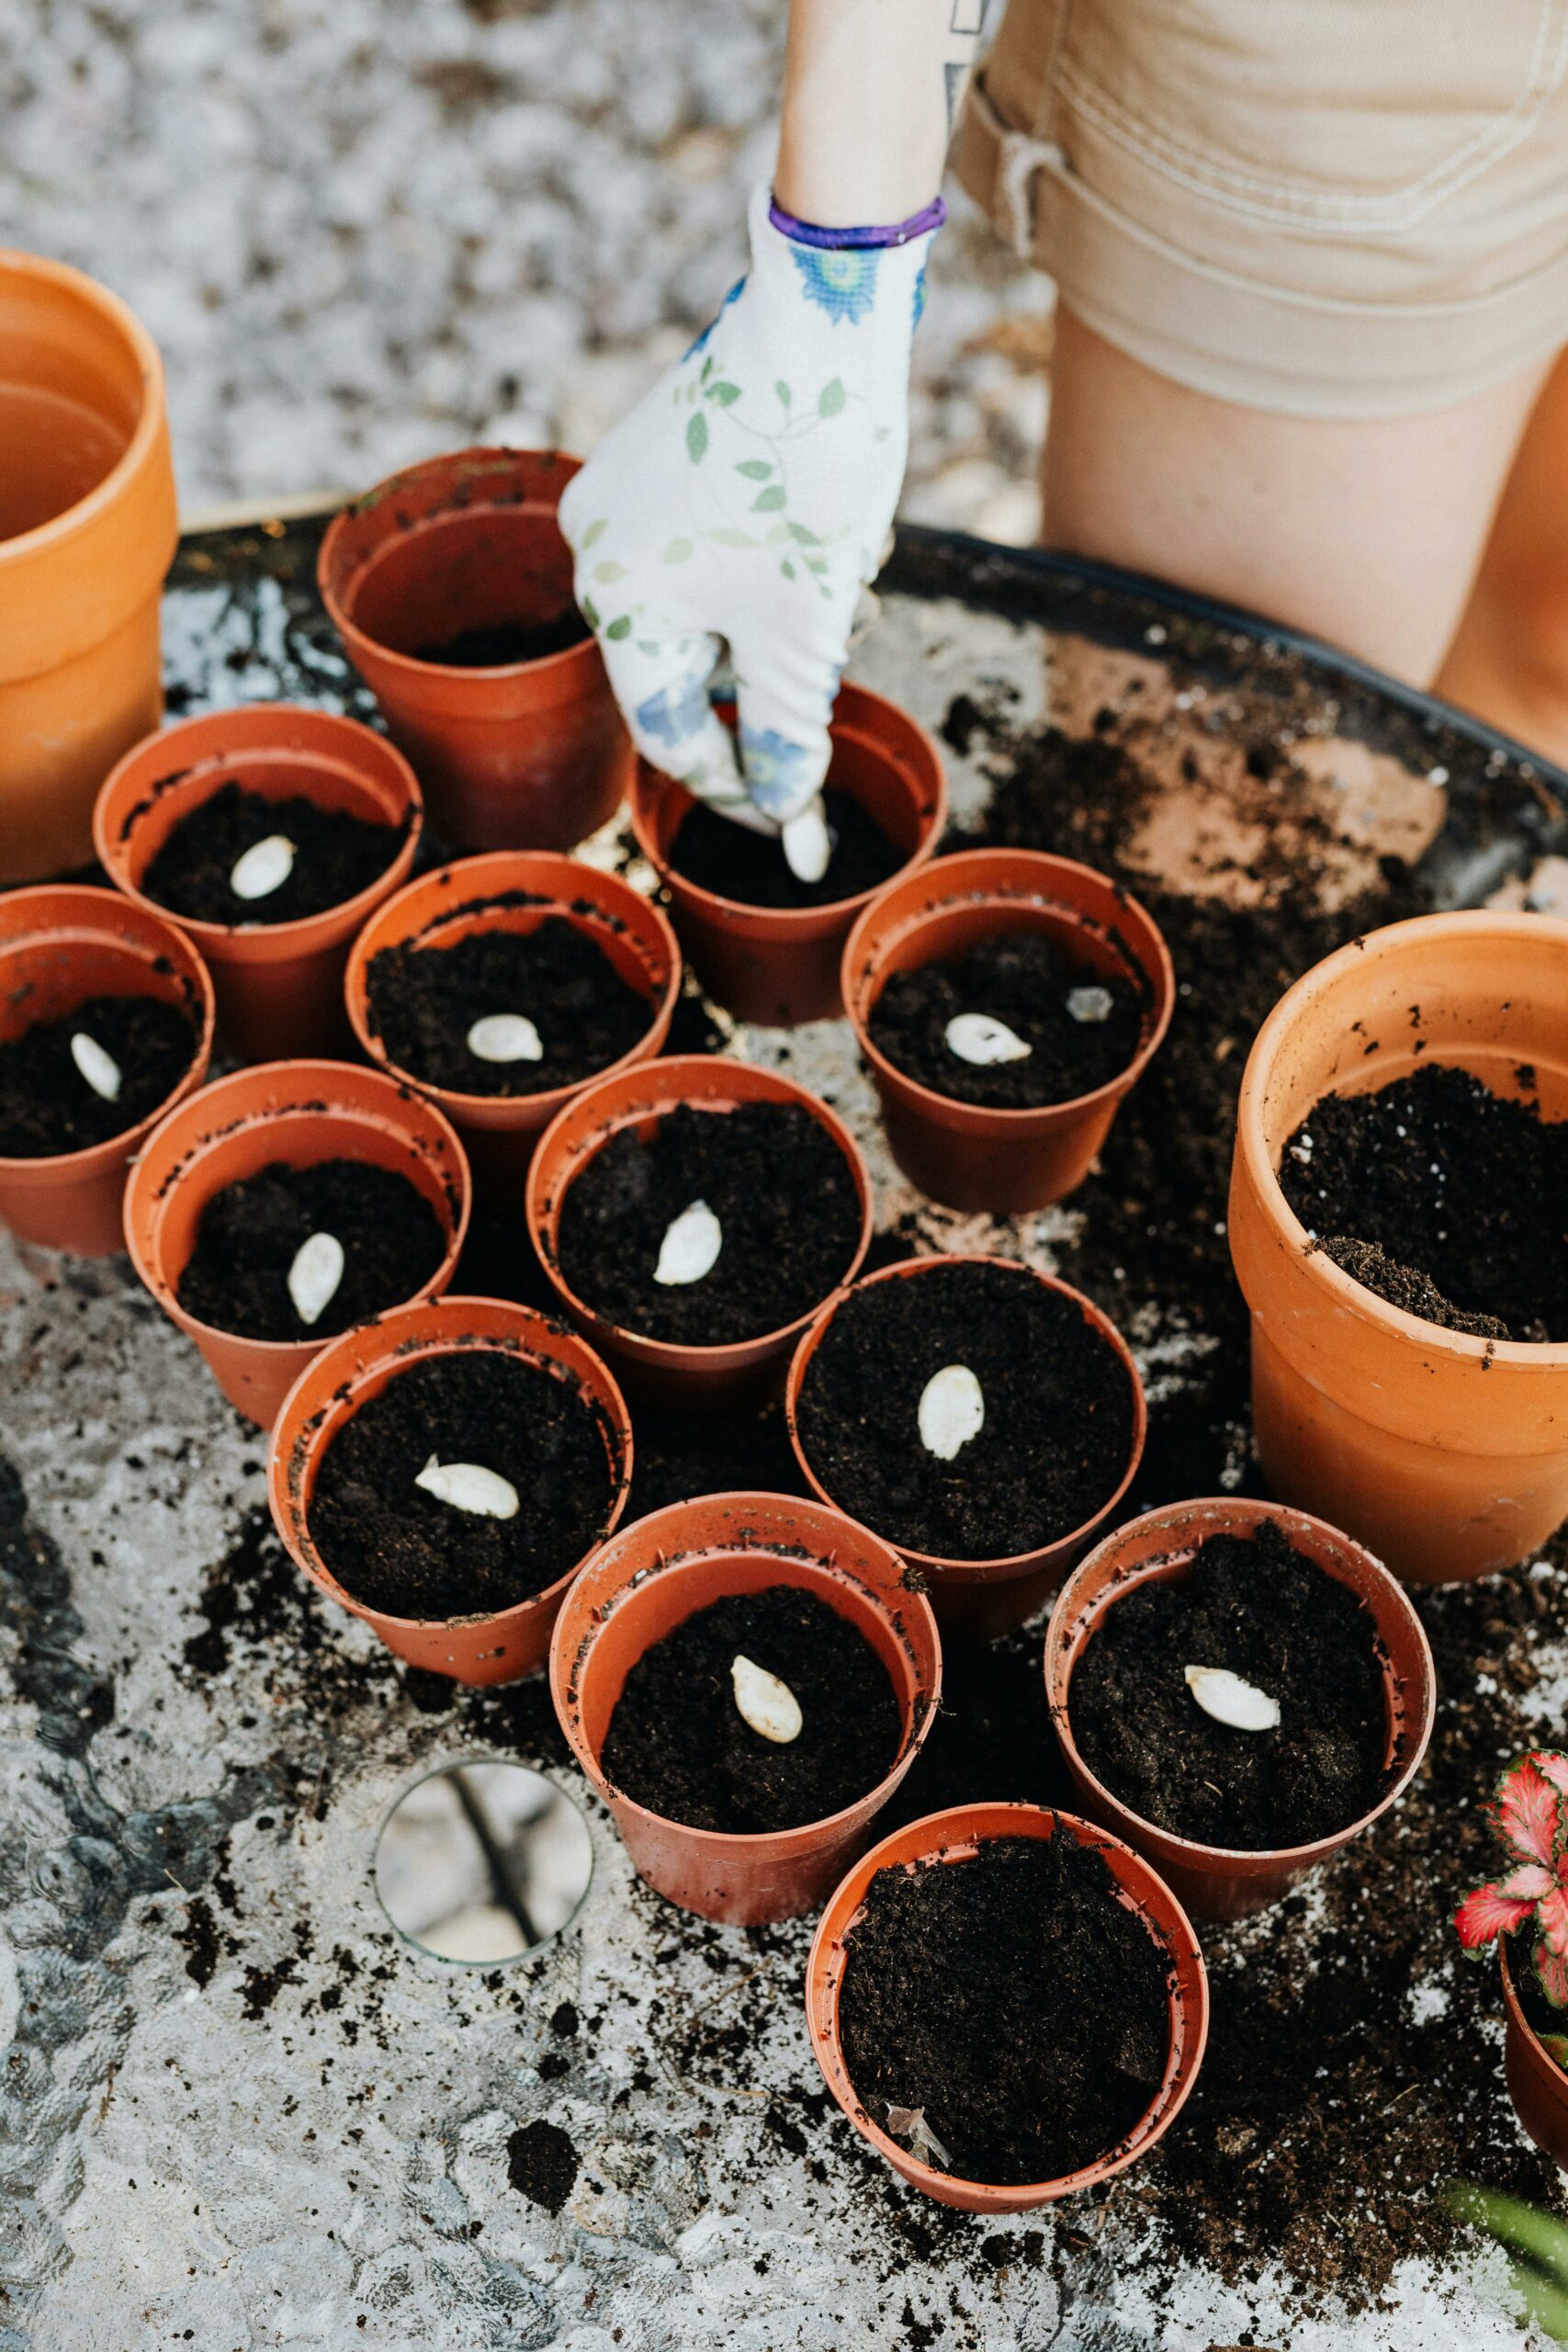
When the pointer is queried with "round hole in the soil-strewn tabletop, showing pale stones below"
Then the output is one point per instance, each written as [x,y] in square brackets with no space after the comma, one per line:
[483,1862]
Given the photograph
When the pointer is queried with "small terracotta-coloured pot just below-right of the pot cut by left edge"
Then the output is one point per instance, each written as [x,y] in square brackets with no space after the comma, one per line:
[300,1114]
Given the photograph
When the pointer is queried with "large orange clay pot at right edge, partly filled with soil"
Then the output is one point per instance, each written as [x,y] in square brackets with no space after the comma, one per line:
[1447,1455]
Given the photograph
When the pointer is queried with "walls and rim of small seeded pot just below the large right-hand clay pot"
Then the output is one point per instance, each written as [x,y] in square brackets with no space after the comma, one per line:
[1231,1883]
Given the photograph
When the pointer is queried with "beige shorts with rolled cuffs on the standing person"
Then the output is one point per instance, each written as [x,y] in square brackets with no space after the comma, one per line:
[1329,208]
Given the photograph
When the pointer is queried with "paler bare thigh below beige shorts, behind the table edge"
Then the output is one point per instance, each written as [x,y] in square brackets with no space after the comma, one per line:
[1367,533]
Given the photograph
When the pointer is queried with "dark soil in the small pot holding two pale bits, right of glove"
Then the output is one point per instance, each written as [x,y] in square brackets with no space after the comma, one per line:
[1026,982]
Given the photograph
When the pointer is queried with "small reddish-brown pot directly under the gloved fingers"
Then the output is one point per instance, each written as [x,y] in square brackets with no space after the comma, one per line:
[782,965]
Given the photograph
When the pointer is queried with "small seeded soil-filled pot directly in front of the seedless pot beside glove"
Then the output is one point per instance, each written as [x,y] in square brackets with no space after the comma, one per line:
[504,984]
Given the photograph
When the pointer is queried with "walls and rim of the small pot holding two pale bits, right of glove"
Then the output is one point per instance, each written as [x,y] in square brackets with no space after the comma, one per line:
[963,1154]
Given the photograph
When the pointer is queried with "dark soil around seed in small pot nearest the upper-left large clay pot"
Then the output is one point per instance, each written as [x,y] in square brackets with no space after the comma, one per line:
[335,857]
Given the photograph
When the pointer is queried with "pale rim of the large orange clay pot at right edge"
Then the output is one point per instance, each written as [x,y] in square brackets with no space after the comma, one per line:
[1252,1144]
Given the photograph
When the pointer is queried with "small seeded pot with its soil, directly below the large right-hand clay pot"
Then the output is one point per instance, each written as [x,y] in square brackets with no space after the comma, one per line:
[1238,1690]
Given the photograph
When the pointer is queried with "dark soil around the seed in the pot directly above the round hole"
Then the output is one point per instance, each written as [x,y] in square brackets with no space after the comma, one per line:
[401,1551]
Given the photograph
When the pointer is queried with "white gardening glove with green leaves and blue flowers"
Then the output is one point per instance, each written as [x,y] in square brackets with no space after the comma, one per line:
[744,505]
